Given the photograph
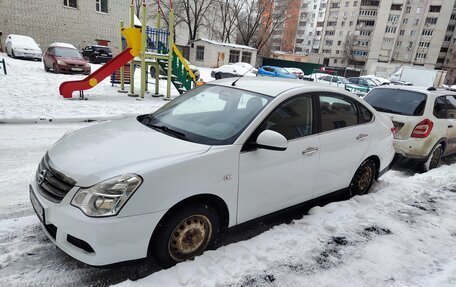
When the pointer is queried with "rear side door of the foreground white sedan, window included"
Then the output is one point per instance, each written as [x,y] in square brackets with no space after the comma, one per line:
[344,141]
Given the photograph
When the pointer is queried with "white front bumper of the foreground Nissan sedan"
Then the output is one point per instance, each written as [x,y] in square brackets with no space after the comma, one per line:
[96,241]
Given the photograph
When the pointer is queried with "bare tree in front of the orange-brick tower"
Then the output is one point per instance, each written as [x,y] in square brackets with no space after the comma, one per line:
[259,19]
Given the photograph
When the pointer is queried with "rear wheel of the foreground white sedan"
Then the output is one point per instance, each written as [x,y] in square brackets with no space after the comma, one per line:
[363,178]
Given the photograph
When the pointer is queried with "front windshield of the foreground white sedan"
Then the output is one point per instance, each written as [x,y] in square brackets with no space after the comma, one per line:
[212,115]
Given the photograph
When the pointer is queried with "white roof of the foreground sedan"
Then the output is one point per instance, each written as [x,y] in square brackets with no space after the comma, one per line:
[270,86]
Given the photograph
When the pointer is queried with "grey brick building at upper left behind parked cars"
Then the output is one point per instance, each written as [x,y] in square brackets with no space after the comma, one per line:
[78,22]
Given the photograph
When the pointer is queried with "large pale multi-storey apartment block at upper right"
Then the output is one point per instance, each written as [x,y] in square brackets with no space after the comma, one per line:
[380,36]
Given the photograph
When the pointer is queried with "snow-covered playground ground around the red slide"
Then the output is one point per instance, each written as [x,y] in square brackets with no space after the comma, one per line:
[29,94]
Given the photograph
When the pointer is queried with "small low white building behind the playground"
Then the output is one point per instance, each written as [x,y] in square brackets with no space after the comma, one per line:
[212,54]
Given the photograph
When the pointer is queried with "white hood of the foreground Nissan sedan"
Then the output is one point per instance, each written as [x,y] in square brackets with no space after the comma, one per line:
[102,151]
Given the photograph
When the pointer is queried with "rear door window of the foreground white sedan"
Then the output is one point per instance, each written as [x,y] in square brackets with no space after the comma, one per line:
[337,112]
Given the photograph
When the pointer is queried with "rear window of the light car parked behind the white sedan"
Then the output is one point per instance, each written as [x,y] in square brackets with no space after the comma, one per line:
[395,101]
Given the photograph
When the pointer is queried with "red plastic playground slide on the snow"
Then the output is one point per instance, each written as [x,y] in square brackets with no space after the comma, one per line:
[67,88]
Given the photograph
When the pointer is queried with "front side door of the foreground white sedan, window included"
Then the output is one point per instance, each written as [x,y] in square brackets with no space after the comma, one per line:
[272,180]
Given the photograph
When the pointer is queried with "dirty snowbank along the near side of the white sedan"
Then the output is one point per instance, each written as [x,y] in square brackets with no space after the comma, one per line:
[404,234]
